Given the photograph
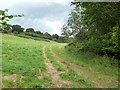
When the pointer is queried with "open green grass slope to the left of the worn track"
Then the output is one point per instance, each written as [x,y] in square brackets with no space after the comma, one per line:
[23,57]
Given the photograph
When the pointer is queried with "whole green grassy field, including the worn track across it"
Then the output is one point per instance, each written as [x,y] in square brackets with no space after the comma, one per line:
[32,63]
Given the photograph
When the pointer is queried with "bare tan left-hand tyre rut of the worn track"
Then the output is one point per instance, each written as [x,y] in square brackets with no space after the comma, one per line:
[56,80]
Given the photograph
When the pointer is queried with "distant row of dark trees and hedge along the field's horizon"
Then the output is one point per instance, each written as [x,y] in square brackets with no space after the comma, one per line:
[19,31]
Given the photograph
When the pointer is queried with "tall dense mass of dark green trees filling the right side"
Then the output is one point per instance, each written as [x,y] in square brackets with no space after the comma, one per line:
[95,27]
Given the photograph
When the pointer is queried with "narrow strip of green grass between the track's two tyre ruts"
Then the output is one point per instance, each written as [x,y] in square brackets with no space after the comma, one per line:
[69,75]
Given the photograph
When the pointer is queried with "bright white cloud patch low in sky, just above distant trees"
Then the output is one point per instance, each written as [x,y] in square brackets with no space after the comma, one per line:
[55,25]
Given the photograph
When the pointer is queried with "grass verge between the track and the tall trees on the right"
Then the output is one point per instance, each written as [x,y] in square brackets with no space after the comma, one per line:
[98,68]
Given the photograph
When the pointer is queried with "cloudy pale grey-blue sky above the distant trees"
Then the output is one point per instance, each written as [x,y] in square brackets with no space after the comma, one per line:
[42,15]
